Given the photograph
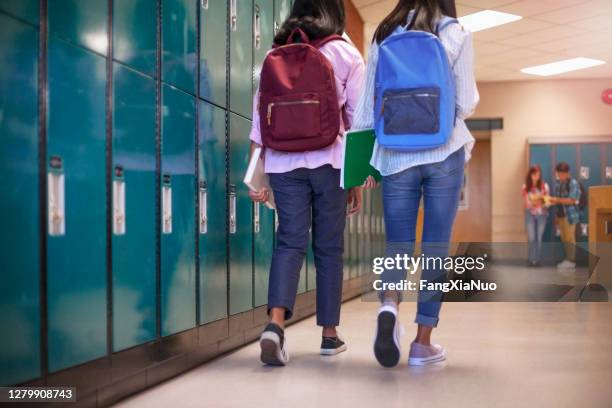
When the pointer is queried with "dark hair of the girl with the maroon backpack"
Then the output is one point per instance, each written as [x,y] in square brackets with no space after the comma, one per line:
[317,18]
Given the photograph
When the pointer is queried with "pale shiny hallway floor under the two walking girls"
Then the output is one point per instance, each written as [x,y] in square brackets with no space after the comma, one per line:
[499,355]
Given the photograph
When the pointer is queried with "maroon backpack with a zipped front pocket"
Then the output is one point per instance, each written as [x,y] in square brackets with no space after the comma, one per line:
[298,103]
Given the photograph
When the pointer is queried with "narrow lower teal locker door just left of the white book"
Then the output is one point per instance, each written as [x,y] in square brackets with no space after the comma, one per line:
[241,208]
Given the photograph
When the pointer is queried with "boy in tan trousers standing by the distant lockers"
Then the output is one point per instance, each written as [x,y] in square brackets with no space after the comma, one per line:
[567,198]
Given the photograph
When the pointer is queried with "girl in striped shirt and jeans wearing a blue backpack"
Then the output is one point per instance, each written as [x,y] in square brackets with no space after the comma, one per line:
[419,88]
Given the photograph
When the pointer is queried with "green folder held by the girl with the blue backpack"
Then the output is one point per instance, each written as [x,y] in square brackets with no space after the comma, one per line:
[357,152]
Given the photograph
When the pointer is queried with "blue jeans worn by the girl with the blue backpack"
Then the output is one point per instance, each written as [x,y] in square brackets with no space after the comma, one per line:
[439,184]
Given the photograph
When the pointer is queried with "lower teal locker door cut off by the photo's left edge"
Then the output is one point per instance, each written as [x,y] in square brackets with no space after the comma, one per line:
[19,263]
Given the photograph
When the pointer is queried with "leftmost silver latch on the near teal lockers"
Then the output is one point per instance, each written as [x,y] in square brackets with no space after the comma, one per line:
[56,196]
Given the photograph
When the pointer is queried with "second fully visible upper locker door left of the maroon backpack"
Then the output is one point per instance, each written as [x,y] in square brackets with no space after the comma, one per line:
[213,51]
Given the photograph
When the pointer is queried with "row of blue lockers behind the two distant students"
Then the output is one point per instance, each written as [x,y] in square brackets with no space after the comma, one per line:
[590,164]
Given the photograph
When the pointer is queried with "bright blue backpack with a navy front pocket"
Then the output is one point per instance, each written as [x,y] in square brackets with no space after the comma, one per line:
[415,91]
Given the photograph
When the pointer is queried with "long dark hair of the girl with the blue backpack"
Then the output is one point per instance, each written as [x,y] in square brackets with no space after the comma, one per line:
[426,13]
